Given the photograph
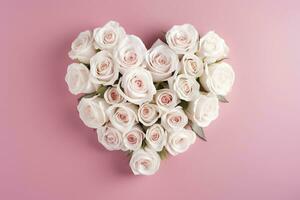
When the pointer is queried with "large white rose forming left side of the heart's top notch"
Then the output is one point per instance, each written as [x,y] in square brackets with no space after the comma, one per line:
[130,53]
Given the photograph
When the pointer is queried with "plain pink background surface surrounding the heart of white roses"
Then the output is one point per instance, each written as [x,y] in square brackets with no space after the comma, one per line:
[253,148]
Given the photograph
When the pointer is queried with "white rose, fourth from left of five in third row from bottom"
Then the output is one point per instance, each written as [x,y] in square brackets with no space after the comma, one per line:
[174,119]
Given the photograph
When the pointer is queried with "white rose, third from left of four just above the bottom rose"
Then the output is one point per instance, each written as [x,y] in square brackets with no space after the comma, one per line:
[156,137]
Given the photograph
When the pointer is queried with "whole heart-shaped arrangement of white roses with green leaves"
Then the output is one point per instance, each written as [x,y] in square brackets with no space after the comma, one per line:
[148,102]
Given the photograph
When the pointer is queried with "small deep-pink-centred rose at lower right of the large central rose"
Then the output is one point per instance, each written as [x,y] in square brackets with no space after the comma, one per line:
[166,99]
